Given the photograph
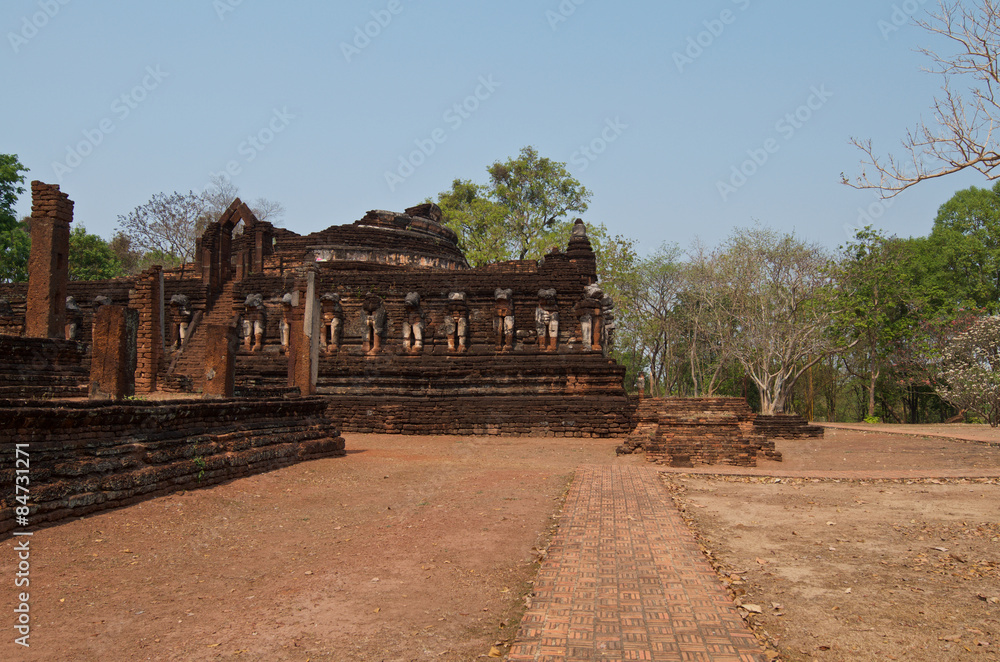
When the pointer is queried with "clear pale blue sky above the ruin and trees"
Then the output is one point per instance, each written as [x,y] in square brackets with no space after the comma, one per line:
[336,108]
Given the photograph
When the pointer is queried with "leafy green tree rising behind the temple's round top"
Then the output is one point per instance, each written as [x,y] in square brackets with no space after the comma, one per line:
[521,213]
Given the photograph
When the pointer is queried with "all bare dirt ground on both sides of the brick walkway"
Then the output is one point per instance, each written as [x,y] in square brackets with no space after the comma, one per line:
[421,548]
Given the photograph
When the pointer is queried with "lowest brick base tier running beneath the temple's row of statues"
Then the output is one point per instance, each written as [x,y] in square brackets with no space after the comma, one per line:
[581,416]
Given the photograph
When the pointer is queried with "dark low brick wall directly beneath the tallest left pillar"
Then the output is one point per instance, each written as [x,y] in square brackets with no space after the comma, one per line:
[40,368]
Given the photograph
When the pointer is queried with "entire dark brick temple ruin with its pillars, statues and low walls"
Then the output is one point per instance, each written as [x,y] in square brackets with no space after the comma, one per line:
[272,343]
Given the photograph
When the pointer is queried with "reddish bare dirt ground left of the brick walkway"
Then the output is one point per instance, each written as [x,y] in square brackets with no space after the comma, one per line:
[409,548]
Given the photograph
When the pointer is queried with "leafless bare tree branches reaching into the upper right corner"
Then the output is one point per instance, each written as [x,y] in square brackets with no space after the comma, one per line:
[964,136]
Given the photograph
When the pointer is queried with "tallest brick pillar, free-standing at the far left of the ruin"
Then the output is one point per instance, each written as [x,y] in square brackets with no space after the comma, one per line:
[48,266]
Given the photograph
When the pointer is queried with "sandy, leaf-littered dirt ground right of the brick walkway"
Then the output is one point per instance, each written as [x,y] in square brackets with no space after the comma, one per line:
[863,570]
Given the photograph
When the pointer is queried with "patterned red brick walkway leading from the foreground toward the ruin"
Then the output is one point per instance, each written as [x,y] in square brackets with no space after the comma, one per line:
[625,580]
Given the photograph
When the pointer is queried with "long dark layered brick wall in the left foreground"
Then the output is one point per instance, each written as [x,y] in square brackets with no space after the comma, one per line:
[86,457]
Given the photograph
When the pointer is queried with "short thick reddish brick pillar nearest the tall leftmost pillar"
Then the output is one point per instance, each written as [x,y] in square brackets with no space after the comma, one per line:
[113,356]
